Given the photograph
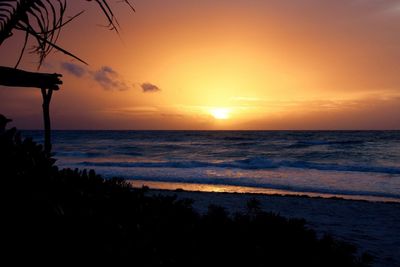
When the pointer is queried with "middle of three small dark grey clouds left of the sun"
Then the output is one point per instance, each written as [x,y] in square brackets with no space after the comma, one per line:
[109,79]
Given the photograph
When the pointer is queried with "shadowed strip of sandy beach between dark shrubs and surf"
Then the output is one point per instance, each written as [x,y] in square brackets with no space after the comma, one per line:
[374,227]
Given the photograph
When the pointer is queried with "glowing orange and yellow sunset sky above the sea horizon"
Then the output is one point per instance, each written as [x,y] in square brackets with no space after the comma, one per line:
[221,65]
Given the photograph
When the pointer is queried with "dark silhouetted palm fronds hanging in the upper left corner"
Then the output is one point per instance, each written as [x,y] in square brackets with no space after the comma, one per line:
[43,20]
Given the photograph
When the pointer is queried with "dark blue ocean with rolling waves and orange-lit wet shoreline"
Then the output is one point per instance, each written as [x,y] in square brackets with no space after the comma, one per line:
[349,164]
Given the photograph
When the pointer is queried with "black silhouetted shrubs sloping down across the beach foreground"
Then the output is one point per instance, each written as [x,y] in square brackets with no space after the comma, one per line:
[70,216]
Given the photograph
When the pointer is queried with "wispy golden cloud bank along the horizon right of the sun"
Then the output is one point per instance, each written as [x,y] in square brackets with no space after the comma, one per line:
[376,113]
